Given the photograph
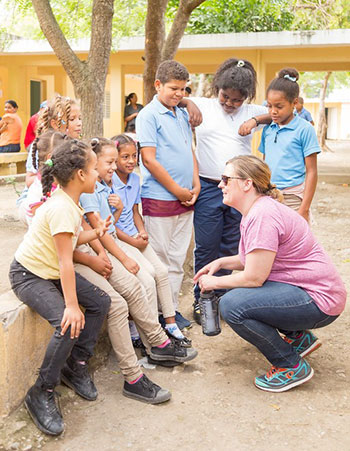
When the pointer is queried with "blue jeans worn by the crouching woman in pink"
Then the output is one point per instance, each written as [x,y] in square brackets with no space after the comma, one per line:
[257,314]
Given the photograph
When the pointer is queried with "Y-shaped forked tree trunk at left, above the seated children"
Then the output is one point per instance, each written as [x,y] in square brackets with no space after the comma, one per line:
[88,77]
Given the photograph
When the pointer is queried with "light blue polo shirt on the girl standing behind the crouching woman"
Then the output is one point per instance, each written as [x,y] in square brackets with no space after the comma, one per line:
[285,149]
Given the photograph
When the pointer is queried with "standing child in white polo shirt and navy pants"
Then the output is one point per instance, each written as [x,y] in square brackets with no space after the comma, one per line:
[228,119]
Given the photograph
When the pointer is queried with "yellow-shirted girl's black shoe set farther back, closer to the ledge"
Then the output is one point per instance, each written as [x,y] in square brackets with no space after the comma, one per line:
[76,376]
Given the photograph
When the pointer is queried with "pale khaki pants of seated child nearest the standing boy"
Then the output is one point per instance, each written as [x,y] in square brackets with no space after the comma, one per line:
[153,275]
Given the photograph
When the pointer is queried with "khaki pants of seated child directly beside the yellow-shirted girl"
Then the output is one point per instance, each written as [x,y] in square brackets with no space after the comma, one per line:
[127,296]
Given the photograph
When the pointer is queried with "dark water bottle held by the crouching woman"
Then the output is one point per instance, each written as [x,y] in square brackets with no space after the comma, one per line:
[209,311]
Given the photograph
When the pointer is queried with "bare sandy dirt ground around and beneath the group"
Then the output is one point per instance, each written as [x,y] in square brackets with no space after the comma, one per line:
[215,404]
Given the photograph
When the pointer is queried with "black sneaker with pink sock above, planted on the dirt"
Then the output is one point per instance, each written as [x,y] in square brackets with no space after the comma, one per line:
[146,391]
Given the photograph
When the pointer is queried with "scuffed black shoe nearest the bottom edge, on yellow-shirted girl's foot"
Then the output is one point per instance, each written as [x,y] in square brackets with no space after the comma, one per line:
[41,405]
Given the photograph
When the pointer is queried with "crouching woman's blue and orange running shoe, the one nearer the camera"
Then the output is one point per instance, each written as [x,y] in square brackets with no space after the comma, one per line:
[283,379]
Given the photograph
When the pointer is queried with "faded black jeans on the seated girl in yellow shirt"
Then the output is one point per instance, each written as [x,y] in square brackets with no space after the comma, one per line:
[46,298]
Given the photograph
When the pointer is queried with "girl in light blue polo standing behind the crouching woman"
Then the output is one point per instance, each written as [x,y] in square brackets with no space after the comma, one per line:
[289,144]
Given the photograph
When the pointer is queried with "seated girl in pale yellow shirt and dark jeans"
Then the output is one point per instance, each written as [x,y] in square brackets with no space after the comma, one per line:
[42,276]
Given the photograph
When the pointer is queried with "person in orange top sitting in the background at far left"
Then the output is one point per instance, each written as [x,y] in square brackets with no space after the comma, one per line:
[10,128]
